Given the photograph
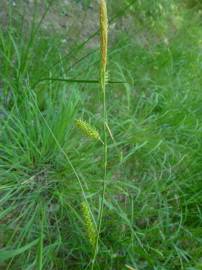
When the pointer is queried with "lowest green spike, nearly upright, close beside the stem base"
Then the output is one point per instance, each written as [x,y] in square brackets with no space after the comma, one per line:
[89,224]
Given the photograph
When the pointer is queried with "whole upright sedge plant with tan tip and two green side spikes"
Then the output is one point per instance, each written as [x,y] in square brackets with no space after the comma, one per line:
[93,134]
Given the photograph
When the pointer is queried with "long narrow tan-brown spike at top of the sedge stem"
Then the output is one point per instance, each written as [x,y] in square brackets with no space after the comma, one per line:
[103,34]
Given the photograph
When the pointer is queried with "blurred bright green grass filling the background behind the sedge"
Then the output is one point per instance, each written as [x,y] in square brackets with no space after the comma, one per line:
[152,216]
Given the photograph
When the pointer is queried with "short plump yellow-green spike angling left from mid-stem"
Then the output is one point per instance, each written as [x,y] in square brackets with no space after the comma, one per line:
[87,129]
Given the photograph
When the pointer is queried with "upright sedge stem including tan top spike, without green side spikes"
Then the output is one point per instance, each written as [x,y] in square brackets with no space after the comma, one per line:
[103,72]
